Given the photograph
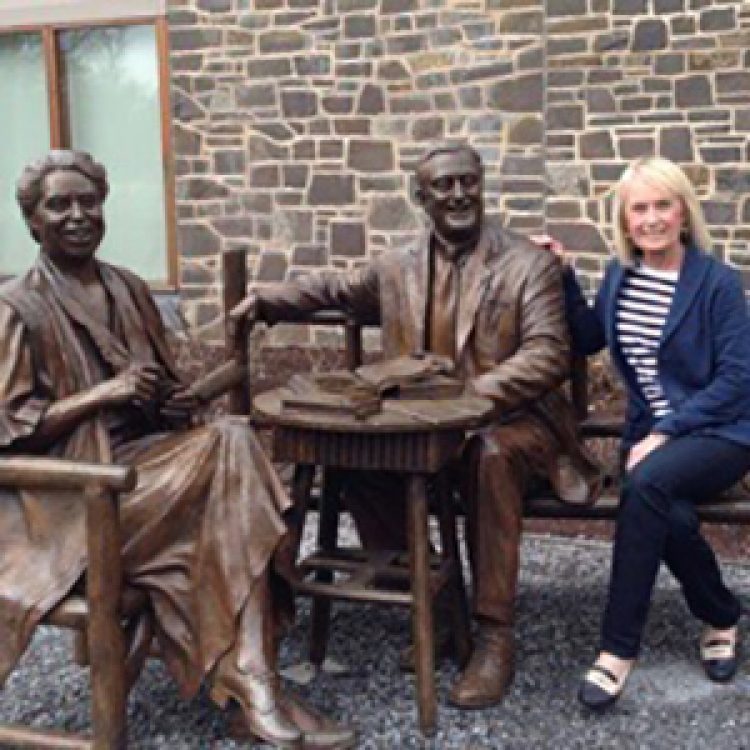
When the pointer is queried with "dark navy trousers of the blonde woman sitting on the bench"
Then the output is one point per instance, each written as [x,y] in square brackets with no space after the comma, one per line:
[658,521]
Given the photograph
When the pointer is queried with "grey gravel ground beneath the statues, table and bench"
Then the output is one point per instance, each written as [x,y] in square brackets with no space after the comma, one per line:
[668,702]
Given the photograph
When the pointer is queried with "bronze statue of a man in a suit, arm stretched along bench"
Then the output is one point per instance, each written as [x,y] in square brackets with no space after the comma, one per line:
[492,302]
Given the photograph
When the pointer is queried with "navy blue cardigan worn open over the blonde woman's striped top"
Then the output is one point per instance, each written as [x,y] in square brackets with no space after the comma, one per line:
[703,358]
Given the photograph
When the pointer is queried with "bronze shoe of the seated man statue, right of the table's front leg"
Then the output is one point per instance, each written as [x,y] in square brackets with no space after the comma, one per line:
[489,673]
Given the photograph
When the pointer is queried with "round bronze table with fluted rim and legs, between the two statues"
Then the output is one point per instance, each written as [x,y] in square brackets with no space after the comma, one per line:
[417,439]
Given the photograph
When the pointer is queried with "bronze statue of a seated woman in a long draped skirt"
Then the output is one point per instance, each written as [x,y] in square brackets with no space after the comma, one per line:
[86,373]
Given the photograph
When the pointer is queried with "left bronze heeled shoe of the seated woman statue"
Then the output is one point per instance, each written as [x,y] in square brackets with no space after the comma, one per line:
[258,700]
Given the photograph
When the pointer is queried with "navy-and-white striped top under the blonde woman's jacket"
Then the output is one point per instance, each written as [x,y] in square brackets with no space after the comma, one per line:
[642,307]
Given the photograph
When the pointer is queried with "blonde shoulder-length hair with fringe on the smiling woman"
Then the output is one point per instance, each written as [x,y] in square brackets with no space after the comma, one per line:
[666,175]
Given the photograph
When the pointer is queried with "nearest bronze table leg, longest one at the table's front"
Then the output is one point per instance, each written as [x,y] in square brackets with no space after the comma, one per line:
[422,625]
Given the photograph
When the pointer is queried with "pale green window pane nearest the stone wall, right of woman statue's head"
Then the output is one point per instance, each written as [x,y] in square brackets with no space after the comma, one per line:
[111,83]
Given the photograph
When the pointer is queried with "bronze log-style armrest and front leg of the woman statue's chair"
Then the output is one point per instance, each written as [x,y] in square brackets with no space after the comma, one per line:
[100,614]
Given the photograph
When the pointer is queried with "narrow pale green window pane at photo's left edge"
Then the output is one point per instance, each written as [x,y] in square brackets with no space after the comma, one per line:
[24,135]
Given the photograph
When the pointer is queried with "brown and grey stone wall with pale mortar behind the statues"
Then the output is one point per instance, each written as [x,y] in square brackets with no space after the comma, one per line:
[297,123]
